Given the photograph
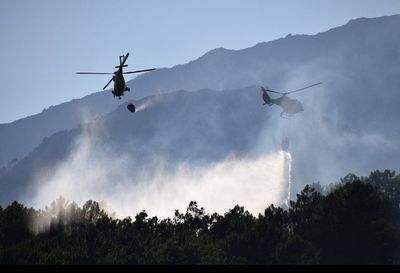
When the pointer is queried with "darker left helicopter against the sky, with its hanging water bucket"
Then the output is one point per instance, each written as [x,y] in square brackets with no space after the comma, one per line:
[118,78]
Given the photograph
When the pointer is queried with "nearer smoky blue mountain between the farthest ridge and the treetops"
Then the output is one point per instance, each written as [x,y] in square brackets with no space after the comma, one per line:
[197,129]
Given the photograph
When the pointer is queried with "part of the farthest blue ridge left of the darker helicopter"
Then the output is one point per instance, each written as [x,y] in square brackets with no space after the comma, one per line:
[20,137]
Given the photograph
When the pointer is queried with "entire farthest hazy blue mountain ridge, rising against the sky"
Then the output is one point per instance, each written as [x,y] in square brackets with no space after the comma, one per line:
[357,60]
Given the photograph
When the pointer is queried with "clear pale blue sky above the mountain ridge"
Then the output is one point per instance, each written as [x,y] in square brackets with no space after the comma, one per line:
[44,42]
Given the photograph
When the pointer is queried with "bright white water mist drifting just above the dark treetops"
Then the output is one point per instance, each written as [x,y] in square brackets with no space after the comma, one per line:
[92,172]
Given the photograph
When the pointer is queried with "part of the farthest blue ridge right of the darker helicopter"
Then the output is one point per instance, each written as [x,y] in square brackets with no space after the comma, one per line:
[358,62]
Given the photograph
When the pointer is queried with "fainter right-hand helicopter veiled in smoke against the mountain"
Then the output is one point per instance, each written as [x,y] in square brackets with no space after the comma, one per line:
[289,106]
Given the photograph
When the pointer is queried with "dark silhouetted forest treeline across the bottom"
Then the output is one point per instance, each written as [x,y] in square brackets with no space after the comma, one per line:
[355,221]
